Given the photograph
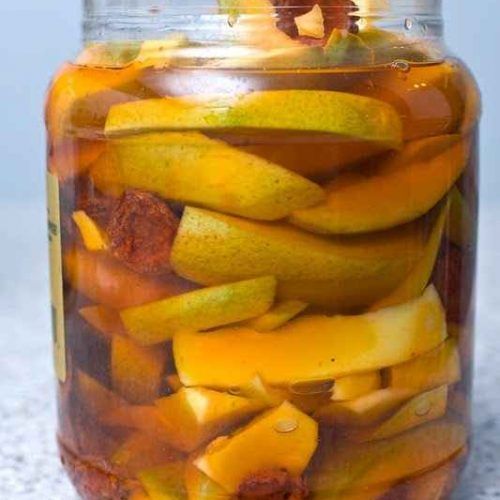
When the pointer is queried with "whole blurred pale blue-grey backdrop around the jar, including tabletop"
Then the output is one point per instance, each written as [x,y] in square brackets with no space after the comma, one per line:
[35,37]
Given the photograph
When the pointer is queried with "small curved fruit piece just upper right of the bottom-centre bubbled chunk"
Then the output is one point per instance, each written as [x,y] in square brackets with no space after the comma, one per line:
[365,410]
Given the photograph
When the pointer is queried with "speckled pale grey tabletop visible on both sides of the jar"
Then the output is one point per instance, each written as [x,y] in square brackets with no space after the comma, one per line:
[29,466]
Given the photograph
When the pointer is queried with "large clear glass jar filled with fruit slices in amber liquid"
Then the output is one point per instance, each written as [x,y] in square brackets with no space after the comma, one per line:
[263,239]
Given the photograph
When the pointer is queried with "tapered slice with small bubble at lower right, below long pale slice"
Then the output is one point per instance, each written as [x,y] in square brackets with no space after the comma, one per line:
[419,410]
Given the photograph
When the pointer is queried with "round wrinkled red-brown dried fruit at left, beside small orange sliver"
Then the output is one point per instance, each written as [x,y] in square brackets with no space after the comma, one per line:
[141,232]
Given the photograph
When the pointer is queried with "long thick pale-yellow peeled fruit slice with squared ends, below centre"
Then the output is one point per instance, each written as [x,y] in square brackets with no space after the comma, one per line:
[312,348]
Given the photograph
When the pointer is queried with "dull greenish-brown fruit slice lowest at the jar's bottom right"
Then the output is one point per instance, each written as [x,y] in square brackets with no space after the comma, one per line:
[388,461]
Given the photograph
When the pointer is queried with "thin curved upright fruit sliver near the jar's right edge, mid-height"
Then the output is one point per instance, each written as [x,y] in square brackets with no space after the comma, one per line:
[419,277]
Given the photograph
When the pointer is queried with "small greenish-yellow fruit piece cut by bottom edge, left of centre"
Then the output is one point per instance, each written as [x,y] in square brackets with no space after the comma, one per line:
[164,482]
